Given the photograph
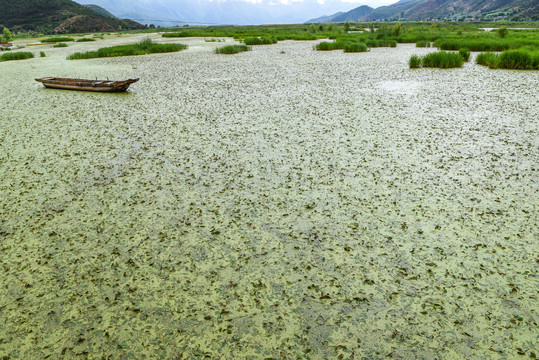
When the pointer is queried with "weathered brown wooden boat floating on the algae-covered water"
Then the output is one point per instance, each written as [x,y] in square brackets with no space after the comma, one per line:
[86,85]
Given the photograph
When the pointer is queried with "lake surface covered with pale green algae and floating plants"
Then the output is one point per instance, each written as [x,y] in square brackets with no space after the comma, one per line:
[281,203]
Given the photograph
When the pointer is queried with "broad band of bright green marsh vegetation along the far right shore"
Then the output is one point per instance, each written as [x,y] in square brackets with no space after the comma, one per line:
[443,35]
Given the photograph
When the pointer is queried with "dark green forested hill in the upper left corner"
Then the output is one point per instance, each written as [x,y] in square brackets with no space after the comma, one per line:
[47,15]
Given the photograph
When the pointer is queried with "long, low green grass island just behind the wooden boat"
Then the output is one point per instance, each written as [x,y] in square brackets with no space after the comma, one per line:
[143,47]
